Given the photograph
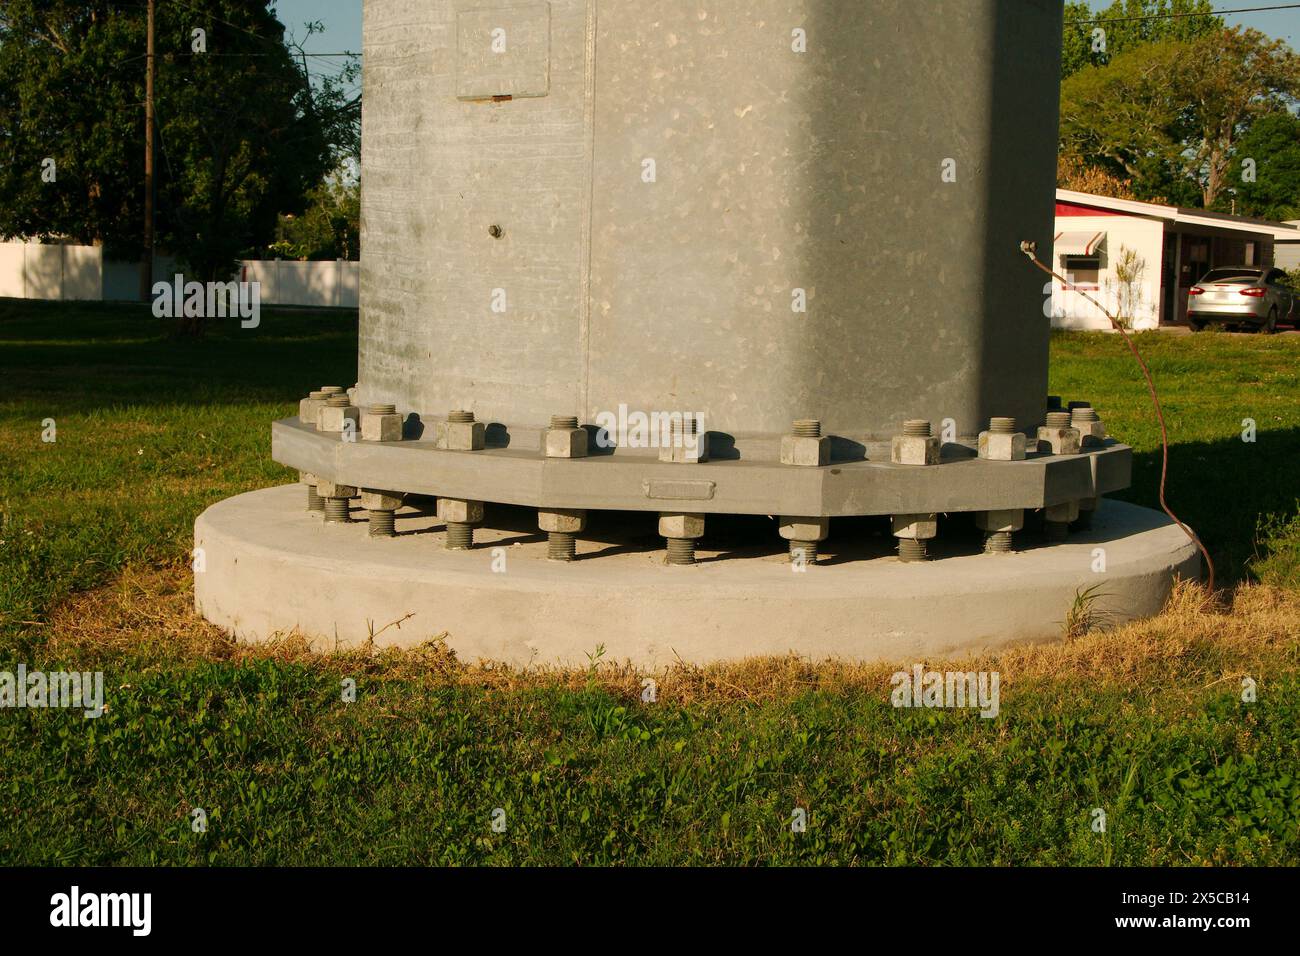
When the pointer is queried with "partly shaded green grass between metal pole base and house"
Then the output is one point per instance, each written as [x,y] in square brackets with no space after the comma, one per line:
[1210,384]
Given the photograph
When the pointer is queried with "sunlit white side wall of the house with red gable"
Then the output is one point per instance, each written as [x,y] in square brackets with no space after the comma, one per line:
[1069,310]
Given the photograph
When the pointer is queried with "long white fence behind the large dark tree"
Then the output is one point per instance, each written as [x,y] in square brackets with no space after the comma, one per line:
[81,274]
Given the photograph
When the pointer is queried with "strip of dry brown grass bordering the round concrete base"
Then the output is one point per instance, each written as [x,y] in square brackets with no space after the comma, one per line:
[1193,644]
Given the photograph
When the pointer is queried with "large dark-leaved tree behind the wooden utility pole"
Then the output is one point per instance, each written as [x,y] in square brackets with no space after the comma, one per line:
[242,133]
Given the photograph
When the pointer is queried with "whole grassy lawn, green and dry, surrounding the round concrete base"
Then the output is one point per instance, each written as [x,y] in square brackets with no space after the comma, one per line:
[1143,721]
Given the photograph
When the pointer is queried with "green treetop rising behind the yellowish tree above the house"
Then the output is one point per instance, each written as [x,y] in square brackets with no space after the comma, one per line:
[1093,40]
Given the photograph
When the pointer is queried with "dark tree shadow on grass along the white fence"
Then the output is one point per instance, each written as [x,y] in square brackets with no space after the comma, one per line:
[80,357]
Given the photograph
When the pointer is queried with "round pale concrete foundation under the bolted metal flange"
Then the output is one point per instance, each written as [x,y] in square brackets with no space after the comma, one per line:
[272,568]
